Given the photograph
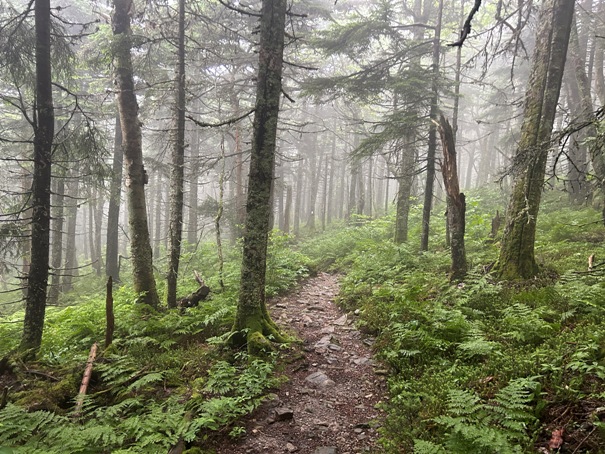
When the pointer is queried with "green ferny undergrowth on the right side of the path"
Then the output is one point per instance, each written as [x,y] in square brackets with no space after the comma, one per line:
[483,366]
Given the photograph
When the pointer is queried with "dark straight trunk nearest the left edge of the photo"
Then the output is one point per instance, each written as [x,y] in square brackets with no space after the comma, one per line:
[37,279]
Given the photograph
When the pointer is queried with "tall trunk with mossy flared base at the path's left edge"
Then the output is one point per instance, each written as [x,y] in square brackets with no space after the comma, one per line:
[252,321]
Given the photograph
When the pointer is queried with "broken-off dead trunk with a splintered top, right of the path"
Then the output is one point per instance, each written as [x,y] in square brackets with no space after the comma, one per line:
[456,201]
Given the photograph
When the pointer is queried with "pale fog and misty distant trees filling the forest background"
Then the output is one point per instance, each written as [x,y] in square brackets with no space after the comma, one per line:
[363,86]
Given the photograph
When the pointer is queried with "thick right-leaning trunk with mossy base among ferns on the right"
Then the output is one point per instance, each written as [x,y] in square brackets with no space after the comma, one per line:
[517,257]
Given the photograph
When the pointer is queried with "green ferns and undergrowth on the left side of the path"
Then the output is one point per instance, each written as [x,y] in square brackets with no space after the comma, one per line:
[166,380]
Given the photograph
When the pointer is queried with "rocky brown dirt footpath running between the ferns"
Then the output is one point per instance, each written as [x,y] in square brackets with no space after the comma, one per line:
[328,405]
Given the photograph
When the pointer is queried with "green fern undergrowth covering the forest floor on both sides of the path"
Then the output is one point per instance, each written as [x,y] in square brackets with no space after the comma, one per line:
[476,366]
